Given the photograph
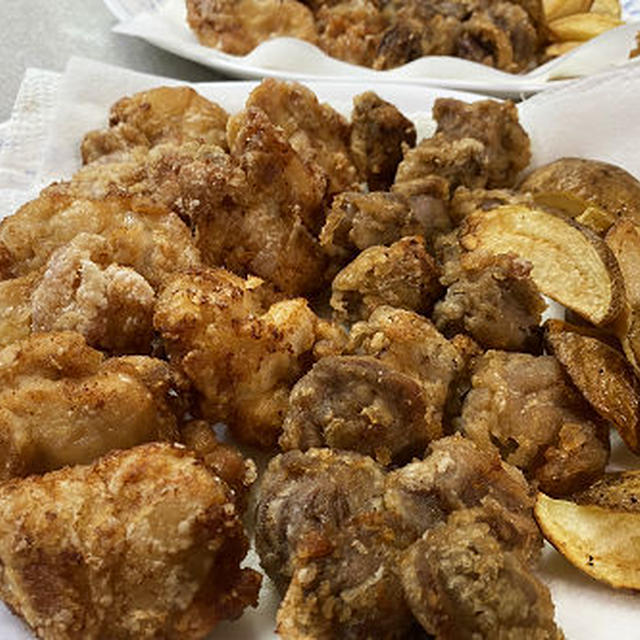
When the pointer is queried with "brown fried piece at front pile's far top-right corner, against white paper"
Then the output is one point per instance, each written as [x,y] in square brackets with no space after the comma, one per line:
[495,124]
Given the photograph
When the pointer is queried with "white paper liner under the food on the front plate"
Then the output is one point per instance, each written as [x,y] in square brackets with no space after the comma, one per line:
[595,117]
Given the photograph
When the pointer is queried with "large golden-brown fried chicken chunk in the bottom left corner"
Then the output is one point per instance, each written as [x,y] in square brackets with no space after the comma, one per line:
[144,543]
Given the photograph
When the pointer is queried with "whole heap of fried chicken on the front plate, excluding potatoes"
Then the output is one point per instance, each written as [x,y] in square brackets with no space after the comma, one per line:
[298,278]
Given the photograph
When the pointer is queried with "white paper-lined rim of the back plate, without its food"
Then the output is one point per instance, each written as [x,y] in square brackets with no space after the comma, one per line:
[163,23]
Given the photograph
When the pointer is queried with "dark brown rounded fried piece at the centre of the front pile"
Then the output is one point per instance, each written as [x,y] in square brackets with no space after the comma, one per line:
[359,404]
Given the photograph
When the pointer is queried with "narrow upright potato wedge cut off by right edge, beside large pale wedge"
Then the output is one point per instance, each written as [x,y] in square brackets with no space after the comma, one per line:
[624,240]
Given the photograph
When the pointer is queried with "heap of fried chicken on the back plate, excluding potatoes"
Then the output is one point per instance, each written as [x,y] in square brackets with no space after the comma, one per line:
[382,34]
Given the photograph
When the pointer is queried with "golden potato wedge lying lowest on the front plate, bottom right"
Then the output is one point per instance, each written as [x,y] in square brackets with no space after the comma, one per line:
[598,533]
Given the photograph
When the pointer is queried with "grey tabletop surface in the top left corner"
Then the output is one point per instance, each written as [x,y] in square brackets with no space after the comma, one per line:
[45,33]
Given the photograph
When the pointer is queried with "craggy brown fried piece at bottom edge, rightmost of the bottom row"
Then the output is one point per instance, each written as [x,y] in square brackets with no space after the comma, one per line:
[461,584]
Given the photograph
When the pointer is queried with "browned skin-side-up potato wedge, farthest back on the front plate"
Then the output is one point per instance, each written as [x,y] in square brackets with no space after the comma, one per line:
[595,193]
